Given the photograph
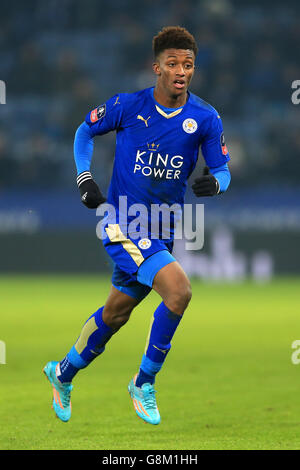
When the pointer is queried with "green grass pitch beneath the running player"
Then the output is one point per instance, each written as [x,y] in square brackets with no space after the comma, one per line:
[228,381]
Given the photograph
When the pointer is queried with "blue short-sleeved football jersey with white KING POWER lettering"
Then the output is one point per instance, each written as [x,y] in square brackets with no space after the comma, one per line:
[156,151]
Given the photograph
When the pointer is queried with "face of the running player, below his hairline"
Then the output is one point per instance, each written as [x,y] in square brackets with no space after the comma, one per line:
[174,69]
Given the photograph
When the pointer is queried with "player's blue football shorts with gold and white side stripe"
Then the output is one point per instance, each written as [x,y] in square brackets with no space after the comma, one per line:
[136,262]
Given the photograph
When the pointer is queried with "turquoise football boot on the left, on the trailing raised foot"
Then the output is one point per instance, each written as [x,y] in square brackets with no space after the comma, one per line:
[61,392]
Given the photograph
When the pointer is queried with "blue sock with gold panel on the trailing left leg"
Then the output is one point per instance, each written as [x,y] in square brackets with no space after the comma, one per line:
[89,345]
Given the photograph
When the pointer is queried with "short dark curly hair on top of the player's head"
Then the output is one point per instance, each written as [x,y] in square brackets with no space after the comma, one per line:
[173,37]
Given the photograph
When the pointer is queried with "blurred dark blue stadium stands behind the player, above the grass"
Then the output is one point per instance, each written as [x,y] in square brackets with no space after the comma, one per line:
[59,59]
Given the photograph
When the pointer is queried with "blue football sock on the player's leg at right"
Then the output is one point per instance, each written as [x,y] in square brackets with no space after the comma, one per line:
[162,331]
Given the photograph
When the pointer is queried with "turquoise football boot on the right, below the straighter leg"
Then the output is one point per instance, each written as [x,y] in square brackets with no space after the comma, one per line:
[144,401]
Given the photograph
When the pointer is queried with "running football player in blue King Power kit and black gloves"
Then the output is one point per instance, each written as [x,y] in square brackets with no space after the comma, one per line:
[166,120]
